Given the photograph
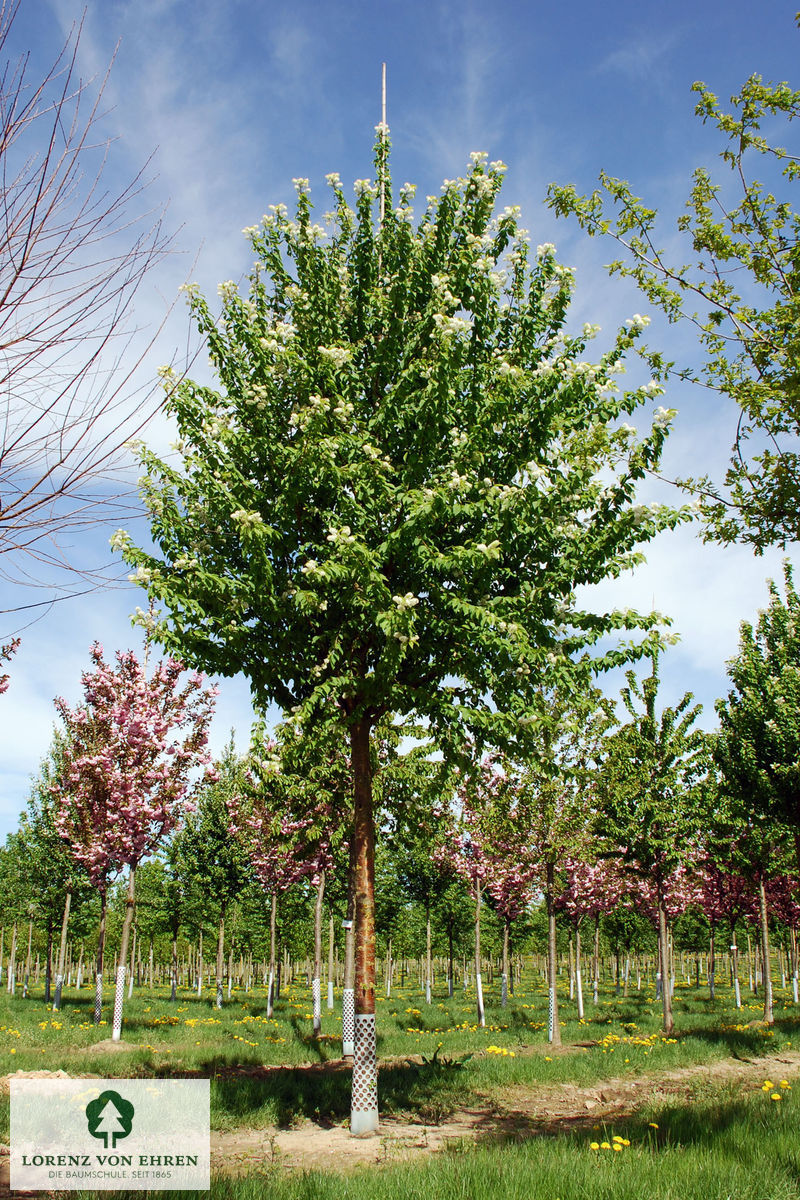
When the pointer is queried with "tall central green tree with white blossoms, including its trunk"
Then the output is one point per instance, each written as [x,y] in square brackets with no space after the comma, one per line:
[406,470]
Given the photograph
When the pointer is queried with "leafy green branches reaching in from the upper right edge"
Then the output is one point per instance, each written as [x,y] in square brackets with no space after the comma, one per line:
[738,281]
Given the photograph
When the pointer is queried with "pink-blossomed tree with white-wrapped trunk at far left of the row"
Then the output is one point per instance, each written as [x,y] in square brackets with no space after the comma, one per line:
[129,752]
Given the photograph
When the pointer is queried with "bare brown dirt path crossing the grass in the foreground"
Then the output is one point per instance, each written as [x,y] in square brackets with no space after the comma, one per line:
[513,1113]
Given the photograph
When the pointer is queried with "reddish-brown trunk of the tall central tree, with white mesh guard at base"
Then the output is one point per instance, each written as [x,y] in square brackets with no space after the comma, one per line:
[364,1108]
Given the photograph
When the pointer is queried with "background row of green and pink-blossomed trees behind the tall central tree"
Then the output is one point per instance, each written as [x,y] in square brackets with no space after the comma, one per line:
[646,814]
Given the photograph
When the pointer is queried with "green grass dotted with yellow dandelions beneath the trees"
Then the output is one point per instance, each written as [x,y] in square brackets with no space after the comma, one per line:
[714,1139]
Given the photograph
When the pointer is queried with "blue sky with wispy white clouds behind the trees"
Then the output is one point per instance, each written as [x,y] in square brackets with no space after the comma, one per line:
[233,100]
